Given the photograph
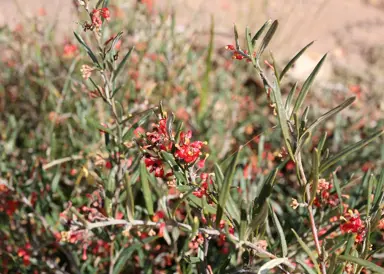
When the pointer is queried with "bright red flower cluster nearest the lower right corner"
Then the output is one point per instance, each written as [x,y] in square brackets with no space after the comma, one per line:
[352,223]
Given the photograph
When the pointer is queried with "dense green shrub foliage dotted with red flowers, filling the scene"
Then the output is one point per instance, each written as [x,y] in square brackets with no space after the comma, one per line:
[97,174]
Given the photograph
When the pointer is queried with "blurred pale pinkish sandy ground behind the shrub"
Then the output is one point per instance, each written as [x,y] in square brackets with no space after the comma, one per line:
[345,28]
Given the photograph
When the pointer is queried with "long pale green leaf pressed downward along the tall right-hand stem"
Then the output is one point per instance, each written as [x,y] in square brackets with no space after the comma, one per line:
[282,116]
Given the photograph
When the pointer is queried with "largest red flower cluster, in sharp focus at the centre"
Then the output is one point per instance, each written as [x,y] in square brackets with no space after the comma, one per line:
[185,151]
